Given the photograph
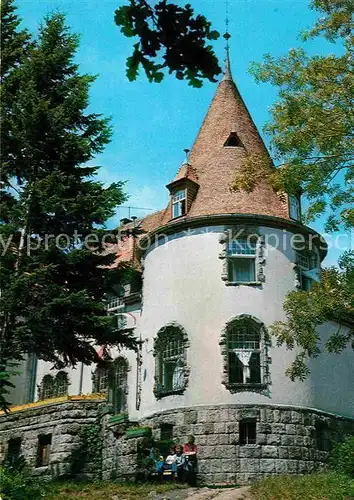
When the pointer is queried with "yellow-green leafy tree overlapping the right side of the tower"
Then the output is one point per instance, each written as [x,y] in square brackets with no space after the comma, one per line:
[312,140]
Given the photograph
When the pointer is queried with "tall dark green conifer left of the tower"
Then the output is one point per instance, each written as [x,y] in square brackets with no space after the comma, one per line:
[54,275]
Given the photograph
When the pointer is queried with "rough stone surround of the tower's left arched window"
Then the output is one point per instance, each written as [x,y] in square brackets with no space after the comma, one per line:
[162,338]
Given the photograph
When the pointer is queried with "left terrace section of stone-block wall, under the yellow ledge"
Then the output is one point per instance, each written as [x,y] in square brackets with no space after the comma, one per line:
[63,421]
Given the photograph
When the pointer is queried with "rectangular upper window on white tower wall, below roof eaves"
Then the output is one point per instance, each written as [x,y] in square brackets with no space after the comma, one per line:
[242,260]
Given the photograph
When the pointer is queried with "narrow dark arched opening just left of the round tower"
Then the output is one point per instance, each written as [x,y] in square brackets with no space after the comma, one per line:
[117,384]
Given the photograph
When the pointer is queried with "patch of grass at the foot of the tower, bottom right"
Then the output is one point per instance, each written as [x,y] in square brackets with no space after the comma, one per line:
[324,486]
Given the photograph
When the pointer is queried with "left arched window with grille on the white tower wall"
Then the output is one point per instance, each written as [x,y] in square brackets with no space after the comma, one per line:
[171,373]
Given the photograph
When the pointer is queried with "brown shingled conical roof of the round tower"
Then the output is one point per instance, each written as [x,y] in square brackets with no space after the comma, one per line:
[227,135]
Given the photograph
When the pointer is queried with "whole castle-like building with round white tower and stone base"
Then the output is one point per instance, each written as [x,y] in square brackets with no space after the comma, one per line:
[216,266]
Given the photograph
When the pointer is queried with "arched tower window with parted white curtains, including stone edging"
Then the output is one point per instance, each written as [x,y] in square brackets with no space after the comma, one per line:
[244,347]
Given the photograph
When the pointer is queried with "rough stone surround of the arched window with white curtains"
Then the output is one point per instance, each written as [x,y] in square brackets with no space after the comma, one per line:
[265,359]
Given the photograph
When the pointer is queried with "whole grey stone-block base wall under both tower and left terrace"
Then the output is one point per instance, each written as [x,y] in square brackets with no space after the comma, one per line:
[288,440]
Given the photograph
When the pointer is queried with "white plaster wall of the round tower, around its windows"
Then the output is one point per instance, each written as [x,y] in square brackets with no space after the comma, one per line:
[182,283]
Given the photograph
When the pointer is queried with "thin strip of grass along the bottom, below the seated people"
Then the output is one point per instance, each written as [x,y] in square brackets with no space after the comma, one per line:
[105,491]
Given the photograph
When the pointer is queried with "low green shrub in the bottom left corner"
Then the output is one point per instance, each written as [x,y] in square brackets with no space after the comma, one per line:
[17,484]
